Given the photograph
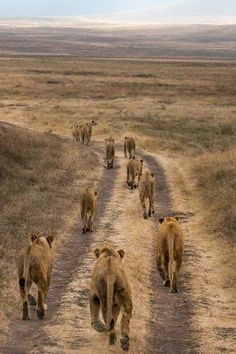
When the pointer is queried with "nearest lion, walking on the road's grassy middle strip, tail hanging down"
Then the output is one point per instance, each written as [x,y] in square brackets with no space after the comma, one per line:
[110,291]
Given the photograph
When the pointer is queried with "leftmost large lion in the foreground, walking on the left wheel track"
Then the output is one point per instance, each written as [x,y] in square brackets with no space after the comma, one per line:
[35,266]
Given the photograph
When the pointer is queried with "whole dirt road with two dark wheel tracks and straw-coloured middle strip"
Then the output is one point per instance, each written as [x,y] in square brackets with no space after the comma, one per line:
[161,322]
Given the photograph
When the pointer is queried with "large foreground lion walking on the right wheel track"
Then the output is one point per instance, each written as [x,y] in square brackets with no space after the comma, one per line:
[170,249]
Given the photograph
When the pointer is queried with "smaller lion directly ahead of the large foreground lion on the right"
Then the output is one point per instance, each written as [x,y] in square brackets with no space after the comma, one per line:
[146,191]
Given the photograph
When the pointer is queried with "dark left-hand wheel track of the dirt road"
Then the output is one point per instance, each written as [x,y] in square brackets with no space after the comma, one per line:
[26,334]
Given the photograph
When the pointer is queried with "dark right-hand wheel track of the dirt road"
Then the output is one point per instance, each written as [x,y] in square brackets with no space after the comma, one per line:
[172,313]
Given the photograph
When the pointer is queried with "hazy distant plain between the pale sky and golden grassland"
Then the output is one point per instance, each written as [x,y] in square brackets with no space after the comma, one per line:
[97,40]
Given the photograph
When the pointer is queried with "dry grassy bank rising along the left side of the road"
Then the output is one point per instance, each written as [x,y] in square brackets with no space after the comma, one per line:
[40,178]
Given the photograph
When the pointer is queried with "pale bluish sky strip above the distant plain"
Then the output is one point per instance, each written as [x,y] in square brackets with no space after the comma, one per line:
[168,10]
